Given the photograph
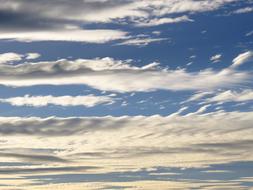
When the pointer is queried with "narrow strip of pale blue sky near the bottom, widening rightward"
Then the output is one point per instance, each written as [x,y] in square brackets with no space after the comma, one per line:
[221,173]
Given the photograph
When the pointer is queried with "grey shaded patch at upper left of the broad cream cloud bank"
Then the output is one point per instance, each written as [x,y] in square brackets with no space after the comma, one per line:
[57,127]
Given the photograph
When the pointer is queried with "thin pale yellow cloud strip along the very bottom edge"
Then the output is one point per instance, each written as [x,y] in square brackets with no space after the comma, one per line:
[143,184]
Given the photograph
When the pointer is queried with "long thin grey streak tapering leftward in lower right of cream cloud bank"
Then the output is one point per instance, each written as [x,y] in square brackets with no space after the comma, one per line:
[219,149]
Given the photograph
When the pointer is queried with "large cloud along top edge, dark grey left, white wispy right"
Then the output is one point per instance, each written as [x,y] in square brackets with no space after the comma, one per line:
[98,11]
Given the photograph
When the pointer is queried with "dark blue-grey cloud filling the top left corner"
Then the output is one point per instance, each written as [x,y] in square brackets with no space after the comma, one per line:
[47,14]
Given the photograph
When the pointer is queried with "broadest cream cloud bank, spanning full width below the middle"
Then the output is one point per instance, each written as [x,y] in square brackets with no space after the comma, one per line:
[195,139]
